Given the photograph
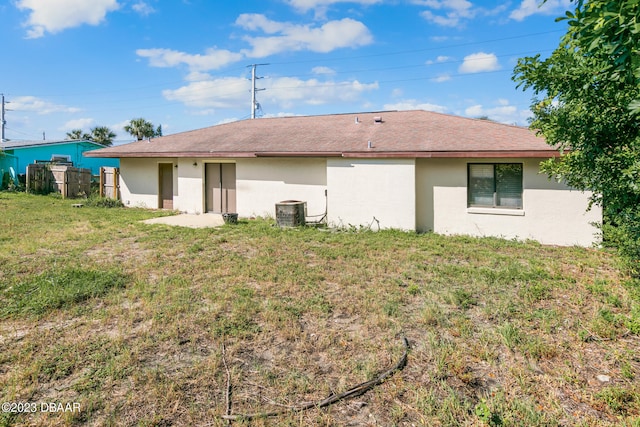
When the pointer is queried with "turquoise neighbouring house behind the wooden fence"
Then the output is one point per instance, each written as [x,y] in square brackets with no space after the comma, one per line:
[20,154]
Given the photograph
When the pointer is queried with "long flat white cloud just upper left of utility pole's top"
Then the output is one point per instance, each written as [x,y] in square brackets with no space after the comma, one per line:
[212,59]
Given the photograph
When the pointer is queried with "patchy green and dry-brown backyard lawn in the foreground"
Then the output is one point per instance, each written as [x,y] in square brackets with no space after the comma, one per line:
[147,324]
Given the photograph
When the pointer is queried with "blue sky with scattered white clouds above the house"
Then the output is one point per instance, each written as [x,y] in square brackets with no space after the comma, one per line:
[185,64]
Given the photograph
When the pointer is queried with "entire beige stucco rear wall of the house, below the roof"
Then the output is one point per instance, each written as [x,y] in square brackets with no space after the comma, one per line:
[359,190]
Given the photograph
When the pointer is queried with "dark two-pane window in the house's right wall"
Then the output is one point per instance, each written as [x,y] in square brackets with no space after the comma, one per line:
[495,185]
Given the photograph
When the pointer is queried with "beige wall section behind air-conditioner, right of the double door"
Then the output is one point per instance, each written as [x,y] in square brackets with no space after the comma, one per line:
[263,182]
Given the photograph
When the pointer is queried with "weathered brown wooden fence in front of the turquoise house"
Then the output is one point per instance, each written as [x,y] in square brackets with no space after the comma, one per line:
[66,180]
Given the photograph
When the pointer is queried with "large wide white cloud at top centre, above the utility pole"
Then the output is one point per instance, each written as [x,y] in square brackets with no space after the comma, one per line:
[287,37]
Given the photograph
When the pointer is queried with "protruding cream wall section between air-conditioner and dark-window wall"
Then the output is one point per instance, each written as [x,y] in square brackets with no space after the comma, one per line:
[360,190]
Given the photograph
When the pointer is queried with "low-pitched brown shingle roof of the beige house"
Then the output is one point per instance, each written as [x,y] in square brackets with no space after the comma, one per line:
[395,134]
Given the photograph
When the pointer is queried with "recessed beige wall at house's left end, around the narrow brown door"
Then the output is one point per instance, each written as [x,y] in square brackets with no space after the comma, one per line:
[139,181]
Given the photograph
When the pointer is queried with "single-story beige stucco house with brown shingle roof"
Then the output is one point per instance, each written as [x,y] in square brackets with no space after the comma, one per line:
[411,170]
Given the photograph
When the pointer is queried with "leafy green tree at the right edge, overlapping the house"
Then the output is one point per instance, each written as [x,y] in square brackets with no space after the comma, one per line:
[586,105]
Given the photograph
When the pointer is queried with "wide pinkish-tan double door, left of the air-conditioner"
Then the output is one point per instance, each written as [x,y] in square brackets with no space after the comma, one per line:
[220,187]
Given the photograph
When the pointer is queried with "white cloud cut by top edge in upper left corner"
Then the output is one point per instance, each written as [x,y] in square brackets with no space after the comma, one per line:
[54,16]
